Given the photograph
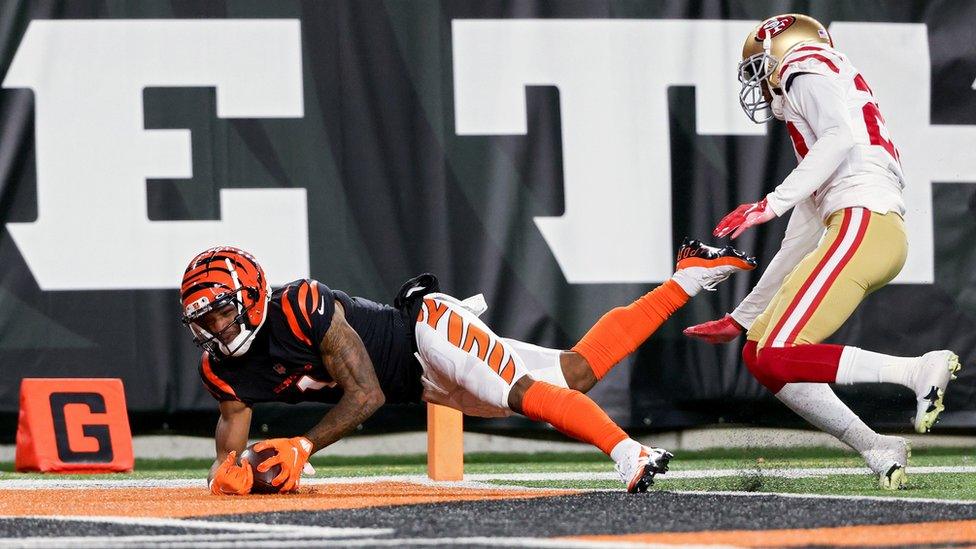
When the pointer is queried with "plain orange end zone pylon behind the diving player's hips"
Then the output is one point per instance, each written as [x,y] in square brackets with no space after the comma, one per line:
[445,443]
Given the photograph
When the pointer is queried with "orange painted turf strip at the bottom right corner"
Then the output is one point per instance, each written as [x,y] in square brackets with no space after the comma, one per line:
[923,533]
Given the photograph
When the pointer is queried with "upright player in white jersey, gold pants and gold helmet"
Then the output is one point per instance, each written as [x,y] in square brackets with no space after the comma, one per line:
[845,238]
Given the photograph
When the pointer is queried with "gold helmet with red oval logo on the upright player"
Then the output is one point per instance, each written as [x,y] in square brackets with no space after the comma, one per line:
[765,48]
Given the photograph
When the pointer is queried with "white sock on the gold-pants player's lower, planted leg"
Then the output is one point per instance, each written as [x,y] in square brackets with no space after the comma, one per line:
[817,403]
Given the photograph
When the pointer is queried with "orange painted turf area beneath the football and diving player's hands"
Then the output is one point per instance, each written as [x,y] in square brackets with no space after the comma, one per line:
[183,502]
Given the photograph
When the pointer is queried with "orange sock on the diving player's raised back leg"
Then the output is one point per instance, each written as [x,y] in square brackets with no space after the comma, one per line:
[622,330]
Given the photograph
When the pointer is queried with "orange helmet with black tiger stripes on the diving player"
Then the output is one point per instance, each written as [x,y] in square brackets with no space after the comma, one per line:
[224,276]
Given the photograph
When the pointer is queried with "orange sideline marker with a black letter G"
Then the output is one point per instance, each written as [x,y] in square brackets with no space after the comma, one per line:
[73,425]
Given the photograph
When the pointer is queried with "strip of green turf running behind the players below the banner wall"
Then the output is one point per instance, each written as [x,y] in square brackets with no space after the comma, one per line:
[756,466]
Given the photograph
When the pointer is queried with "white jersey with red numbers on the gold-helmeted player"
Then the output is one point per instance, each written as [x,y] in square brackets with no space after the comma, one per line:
[845,154]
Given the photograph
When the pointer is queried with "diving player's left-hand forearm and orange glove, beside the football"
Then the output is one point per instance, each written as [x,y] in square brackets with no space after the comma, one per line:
[226,476]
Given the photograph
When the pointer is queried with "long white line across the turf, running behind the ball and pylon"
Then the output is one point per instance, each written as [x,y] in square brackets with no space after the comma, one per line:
[476,480]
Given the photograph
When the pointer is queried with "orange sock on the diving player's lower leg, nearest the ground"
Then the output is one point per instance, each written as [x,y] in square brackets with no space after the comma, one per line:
[573,414]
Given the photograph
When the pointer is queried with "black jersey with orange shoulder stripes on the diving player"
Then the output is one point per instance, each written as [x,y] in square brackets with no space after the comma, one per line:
[284,364]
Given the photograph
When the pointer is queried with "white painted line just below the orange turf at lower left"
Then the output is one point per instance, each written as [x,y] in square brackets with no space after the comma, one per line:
[252,527]
